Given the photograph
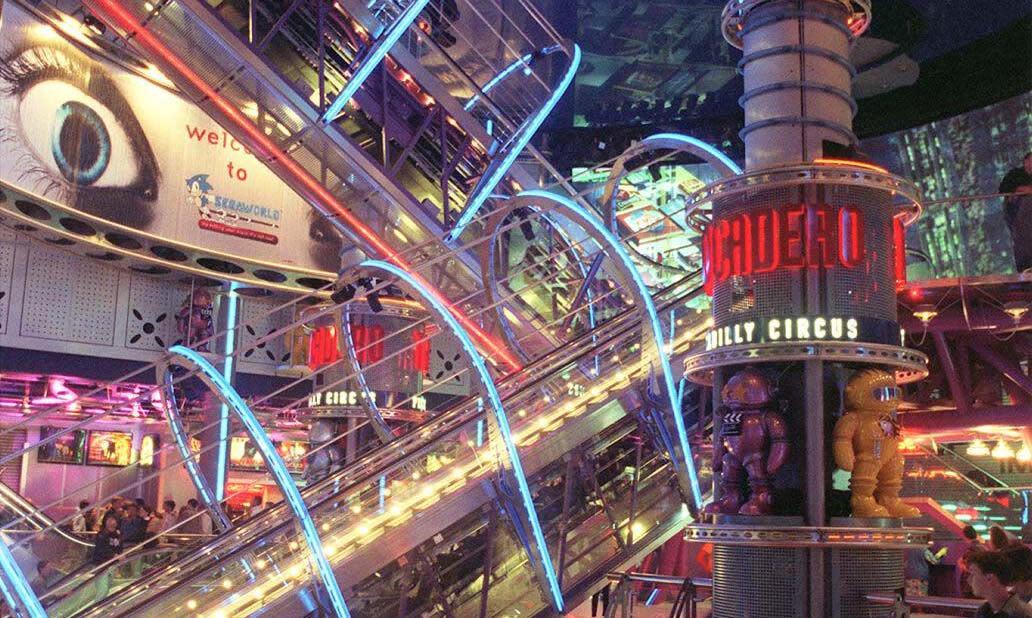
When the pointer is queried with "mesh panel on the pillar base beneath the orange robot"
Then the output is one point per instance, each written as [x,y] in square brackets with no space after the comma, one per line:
[856,572]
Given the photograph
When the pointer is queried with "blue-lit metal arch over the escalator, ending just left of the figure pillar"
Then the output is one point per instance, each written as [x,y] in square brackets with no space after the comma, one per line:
[685,466]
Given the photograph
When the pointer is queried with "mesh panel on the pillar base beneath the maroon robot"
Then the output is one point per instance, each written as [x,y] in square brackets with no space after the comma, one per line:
[760,582]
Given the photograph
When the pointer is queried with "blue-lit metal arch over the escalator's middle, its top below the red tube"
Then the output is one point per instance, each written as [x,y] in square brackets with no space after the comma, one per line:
[510,464]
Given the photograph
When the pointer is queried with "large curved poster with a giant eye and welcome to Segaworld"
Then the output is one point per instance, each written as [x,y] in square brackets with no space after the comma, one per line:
[84,132]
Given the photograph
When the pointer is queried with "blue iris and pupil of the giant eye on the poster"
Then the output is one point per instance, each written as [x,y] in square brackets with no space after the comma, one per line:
[80,144]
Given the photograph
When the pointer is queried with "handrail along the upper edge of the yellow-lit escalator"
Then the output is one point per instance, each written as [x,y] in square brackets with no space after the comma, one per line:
[402,457]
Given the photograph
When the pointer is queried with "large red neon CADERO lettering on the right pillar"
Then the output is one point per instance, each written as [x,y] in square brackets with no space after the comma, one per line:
[791,238]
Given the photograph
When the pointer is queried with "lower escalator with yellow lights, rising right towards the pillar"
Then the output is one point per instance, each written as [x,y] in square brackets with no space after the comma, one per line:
[416,513]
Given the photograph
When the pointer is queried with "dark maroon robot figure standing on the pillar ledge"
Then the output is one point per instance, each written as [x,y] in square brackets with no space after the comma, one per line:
[754,442]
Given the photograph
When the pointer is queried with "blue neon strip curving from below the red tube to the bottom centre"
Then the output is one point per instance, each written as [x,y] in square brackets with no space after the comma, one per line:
[500,416]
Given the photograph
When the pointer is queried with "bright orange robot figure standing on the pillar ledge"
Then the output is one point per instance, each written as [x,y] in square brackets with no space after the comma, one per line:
[866,443]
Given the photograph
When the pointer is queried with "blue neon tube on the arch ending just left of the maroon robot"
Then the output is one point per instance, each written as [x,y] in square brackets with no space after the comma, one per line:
[646,299]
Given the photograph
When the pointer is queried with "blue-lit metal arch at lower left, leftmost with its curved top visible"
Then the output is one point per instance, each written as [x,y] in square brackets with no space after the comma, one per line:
[276,466]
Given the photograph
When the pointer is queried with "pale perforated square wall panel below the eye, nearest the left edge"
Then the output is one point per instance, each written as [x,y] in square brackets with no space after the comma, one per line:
[68,301]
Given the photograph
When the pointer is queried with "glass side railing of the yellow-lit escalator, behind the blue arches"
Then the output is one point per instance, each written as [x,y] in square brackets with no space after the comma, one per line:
[395,484]
